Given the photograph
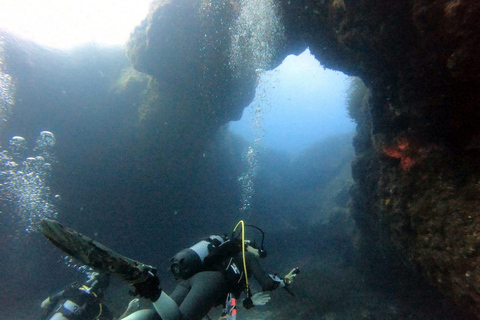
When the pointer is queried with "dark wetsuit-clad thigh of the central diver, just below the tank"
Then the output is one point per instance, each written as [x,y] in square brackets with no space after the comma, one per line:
[206,289]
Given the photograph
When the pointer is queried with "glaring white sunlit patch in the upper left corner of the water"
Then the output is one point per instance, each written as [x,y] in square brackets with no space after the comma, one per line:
[66,24]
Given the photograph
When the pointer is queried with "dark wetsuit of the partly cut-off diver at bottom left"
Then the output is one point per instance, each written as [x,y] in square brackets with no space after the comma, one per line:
[90,305]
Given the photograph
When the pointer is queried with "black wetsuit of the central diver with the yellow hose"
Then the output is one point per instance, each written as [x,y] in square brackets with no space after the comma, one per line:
[196,295]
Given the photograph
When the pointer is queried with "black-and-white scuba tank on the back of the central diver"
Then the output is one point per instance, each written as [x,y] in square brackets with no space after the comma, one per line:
[203,255]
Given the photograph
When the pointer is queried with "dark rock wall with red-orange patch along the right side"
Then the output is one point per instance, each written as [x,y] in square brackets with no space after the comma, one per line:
[416,166]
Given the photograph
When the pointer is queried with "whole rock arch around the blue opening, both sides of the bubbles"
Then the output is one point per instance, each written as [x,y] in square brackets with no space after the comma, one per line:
[417,145]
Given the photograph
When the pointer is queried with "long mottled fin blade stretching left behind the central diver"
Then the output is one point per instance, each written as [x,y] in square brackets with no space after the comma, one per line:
[96,255]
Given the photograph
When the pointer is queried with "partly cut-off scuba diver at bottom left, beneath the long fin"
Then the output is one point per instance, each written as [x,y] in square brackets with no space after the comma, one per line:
[83,302]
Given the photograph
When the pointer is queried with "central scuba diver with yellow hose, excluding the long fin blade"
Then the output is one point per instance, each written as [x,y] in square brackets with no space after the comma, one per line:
[214,271]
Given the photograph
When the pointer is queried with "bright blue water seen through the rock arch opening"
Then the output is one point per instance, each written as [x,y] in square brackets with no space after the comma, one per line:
[296,104]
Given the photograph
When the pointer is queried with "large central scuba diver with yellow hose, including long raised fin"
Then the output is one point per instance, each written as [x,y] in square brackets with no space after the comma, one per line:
[215,271]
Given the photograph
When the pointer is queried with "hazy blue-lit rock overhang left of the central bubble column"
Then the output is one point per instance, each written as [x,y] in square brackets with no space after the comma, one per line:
[184,45]
